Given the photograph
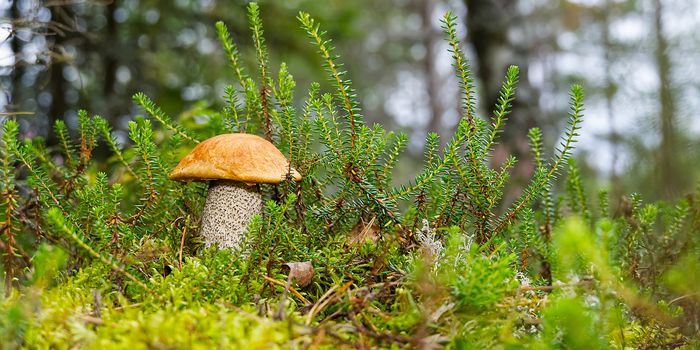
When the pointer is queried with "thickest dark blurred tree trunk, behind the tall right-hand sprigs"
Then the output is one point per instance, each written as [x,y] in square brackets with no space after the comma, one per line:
[488,24]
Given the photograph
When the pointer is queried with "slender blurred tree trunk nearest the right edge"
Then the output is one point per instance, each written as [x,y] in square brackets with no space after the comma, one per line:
[669,175]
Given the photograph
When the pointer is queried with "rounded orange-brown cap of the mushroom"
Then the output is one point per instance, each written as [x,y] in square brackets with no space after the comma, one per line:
[238,157]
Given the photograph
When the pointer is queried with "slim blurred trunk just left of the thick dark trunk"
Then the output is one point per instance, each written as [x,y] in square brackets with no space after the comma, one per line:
[432,78]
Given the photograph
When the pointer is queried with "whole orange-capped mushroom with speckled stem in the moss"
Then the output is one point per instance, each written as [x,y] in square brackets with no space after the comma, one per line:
[234,164]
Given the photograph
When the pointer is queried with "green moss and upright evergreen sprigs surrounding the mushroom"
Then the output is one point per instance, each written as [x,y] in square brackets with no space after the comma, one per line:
[107,255]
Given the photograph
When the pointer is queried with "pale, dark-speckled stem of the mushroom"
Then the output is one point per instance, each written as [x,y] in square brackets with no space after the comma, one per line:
[229,207]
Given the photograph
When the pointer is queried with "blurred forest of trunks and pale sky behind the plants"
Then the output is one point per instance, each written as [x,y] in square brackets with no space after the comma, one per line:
[639,61]
